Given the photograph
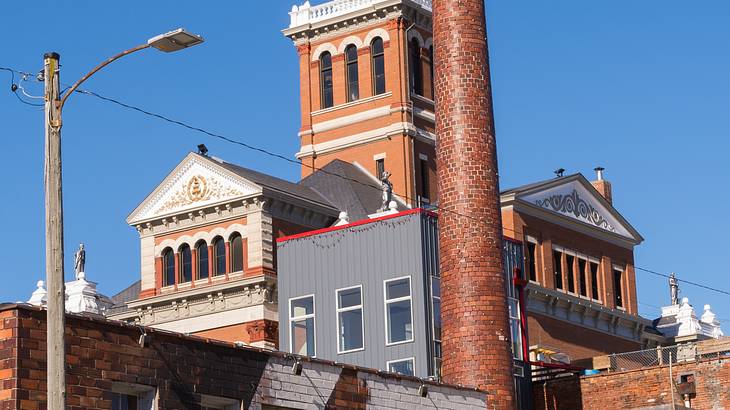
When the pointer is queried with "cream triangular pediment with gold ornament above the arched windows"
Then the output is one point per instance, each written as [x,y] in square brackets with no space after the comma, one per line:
[196,182]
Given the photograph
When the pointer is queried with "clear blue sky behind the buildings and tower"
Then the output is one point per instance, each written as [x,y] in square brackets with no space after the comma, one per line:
[640,88]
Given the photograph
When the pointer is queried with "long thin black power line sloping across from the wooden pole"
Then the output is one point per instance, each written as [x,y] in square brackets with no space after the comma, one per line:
[313,168]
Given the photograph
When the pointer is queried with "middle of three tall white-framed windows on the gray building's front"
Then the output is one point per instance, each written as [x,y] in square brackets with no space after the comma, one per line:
[350,326]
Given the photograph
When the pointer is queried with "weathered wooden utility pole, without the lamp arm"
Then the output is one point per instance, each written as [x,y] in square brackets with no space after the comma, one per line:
[56,318]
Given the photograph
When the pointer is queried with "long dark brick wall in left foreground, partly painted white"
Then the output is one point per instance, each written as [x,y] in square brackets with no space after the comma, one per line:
[102,354]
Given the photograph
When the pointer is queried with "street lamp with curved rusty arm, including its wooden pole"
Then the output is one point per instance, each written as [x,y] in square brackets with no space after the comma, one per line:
[168,42]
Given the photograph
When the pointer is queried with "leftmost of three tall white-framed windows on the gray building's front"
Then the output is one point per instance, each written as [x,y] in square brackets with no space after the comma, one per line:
[302,325]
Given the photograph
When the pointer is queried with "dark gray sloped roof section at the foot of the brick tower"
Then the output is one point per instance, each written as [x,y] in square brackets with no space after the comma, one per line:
[347,187]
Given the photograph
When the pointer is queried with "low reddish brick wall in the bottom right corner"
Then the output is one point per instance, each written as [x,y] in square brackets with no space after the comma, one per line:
[638,388]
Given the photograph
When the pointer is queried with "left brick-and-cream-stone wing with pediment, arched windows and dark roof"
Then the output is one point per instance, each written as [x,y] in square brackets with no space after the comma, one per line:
[207,256]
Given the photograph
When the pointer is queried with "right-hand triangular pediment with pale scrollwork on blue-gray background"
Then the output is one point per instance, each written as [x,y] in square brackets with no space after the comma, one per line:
[574,200]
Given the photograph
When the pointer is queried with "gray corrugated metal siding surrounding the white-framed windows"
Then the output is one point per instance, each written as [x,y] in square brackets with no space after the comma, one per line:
[362,255]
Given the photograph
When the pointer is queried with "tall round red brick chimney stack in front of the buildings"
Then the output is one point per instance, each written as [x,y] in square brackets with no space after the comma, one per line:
[475,335]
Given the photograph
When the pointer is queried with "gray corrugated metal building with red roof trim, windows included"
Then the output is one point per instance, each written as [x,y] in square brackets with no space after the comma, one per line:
[367,274]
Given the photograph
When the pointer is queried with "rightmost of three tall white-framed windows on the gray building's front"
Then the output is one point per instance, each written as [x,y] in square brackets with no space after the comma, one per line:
[398,311]
